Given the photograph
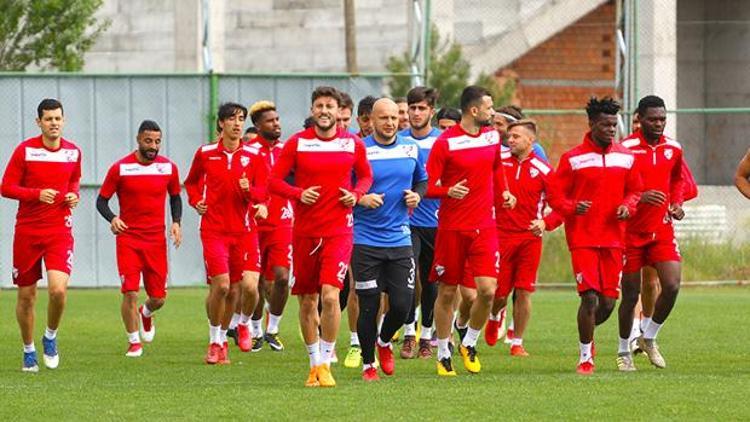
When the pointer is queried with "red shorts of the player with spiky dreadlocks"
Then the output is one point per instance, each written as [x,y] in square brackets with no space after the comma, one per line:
[598,269]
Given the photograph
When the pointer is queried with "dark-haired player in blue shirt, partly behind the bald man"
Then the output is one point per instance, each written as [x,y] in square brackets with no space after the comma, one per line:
[423,224]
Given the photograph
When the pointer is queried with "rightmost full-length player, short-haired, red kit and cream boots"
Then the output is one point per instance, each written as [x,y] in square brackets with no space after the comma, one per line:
[650,233]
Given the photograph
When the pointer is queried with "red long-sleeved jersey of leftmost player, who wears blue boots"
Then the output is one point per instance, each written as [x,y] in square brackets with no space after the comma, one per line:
[34,167]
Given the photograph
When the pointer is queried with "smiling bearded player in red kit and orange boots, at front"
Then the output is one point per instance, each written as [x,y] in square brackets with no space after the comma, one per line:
[323,159]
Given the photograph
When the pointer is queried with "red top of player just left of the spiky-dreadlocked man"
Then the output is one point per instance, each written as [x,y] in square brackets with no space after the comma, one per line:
[529,181]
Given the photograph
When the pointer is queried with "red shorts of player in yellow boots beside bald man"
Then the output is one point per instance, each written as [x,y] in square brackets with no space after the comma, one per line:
[461,255]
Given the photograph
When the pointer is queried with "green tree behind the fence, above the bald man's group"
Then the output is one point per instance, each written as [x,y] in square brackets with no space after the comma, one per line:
[448,72]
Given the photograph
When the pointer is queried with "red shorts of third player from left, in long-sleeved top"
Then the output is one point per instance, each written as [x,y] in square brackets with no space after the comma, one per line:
[230,254]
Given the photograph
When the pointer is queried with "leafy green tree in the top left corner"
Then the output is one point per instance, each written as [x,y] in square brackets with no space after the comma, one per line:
[50,34]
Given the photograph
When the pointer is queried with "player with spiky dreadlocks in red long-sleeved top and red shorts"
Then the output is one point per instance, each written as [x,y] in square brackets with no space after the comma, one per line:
[596,189]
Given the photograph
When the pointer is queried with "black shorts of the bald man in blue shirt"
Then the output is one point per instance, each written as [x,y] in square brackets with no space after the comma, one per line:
[378,269]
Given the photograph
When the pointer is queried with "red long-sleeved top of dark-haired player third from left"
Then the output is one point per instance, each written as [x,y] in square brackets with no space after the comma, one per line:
[214,177]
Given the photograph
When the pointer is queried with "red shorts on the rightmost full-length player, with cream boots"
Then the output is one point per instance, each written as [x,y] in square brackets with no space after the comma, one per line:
[648,248]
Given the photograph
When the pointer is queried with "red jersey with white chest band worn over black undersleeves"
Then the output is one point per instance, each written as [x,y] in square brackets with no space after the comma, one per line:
[141,191]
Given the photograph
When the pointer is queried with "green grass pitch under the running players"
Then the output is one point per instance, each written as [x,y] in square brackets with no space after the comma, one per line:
[705,343]
